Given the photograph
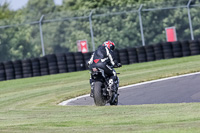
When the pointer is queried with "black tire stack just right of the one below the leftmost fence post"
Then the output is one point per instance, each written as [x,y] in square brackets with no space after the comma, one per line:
[52,64]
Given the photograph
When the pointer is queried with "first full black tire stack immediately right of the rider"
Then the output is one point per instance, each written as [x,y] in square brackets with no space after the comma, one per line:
[123,56]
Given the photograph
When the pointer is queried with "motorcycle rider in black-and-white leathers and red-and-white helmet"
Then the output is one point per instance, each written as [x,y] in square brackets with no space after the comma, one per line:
[104,58]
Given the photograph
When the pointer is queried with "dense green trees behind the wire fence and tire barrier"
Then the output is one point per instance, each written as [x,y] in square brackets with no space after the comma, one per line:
[120,23]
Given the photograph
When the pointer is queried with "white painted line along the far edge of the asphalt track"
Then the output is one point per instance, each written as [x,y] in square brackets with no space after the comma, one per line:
[123,87]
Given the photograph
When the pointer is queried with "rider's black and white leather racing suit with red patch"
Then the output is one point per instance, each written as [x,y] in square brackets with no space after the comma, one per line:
[104,58]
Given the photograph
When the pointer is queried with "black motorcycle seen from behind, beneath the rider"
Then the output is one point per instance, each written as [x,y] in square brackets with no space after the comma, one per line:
[103,93]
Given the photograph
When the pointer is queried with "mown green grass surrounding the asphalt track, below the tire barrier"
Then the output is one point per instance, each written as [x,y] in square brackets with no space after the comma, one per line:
[31,105]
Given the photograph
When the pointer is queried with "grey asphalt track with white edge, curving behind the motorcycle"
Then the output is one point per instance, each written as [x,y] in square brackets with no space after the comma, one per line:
[179,89]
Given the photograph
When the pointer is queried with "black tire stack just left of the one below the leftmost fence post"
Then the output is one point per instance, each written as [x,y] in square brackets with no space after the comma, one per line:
[36,67]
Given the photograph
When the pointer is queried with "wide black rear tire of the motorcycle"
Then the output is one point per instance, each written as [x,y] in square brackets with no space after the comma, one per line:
[98,94]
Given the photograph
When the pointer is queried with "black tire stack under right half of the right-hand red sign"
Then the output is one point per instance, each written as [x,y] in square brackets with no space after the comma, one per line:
[177,49]
